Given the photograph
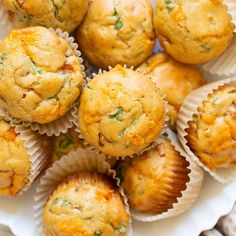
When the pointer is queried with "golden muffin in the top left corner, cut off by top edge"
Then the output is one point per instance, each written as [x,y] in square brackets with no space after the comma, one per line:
[65,14]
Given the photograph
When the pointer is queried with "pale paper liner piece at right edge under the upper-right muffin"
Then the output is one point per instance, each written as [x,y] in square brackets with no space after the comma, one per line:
[224,65]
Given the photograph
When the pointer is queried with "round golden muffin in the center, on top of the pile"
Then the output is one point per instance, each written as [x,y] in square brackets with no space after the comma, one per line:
[121,112]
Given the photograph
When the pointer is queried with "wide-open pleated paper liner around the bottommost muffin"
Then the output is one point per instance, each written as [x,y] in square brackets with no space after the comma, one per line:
[79,160]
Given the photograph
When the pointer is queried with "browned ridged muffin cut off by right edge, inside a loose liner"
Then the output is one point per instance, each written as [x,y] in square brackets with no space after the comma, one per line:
[212,133]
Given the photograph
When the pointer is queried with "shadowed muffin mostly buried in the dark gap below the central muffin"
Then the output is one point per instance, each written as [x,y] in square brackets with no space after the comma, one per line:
[65,143]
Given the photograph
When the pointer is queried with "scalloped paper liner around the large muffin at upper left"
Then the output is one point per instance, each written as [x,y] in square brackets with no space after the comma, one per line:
[65,122]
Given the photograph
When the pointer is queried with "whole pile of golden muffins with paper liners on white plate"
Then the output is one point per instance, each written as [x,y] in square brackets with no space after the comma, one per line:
[125,117]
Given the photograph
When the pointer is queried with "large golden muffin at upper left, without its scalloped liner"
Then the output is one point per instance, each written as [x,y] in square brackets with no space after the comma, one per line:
[40,76]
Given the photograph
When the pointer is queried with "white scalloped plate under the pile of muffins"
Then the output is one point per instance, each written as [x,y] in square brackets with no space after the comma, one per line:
[214,201]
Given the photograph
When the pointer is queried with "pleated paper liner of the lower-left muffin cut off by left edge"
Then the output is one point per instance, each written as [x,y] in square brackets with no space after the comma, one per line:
[37,148]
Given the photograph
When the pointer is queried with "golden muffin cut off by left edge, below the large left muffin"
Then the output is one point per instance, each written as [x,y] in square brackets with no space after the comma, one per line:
[14,161]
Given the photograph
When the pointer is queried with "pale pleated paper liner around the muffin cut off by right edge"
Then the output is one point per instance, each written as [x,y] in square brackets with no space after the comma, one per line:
[188,108]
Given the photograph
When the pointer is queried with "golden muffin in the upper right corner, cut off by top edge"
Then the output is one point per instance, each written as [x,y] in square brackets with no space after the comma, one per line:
[193,32]
